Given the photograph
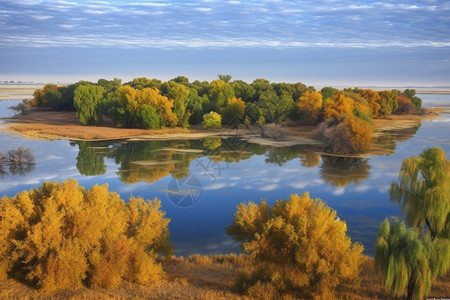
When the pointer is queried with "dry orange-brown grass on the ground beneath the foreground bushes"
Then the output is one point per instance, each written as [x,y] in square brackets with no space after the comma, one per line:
[207,277]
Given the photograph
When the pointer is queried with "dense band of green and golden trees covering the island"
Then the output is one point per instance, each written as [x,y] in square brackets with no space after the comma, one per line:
[153,104]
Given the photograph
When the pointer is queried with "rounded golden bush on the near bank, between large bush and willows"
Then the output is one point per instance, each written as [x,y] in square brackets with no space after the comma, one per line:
[298,244]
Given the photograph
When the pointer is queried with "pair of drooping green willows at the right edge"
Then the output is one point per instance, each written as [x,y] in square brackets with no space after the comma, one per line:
[412,258]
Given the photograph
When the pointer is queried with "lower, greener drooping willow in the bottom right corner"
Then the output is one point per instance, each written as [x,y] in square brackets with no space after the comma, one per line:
[410,261]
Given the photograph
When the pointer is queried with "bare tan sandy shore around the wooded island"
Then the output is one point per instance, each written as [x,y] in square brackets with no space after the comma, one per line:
[50,125]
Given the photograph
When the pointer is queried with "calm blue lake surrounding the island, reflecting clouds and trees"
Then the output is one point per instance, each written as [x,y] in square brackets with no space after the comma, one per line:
[200,182]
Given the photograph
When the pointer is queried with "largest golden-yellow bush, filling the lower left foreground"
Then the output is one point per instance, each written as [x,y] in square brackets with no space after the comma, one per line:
[61,236]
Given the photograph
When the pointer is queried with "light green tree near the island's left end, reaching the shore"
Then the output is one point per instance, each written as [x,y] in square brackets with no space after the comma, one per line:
[87,100]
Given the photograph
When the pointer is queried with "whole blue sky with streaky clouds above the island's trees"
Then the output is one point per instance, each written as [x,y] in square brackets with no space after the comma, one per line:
[323,42]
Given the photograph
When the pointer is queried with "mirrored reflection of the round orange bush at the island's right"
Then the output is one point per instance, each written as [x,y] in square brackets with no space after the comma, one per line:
[341,171]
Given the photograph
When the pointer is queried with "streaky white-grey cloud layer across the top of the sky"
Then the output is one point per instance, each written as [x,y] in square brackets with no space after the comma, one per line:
[232,24]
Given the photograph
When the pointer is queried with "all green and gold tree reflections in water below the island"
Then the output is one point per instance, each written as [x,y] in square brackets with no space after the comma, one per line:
[149,161]
